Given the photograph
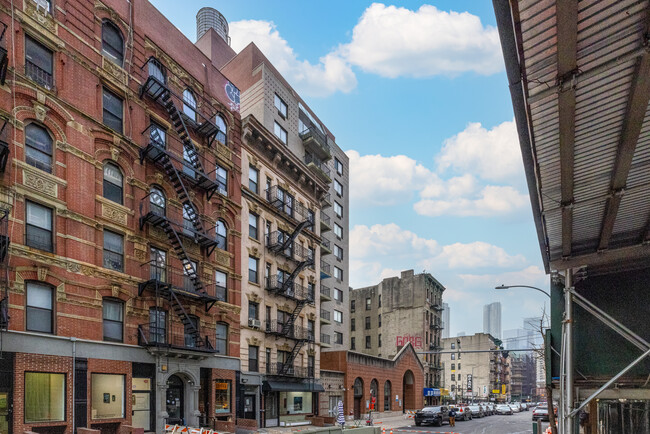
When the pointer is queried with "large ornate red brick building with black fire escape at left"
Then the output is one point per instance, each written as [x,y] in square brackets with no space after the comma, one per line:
[120,190]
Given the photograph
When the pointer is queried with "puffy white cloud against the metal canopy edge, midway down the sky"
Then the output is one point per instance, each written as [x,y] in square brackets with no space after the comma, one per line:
[492,154]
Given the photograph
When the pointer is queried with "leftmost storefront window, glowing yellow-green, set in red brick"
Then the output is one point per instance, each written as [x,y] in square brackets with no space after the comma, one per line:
[44,397]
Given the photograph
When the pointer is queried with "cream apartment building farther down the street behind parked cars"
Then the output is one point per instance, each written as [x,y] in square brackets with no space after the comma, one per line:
[475,376]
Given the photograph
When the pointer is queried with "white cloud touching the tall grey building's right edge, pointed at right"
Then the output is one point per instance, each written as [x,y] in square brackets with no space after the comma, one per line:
[379,180]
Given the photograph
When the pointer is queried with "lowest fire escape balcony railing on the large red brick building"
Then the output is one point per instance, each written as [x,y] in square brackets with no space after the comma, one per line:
[173,336]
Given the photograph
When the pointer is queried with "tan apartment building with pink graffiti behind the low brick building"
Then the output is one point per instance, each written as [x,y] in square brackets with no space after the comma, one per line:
[387,316]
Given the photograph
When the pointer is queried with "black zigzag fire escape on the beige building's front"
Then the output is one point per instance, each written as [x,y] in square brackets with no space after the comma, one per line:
[283,243]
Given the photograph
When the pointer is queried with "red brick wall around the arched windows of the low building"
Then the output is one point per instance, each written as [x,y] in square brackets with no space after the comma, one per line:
[337,361]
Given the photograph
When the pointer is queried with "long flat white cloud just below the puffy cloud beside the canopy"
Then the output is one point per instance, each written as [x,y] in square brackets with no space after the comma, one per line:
[490,201]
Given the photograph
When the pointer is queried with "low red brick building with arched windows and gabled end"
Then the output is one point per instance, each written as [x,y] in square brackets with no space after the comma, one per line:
[395,385]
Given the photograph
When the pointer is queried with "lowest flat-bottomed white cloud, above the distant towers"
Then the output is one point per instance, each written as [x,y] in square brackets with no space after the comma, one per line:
[474,255]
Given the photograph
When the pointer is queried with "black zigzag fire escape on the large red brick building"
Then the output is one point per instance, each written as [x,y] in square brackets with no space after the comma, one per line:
[163,280]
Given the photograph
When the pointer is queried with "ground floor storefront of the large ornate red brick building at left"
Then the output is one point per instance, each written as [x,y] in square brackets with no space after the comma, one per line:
[50,384]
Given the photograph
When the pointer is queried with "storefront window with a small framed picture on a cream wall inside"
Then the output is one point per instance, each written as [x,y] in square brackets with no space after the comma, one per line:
[107,396]
